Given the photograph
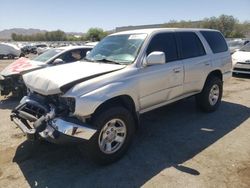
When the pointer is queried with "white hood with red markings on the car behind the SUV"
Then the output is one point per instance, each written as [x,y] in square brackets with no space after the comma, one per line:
[21,65]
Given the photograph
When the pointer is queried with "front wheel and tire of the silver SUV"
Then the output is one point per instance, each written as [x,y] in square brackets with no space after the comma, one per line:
[103,147]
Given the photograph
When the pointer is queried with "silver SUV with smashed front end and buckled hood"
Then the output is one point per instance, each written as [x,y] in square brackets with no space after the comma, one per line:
[99,100]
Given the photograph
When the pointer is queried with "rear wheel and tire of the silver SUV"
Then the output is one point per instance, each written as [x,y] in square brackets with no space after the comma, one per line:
[210,97]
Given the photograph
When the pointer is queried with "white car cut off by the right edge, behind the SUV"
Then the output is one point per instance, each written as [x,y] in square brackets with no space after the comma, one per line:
[241,60]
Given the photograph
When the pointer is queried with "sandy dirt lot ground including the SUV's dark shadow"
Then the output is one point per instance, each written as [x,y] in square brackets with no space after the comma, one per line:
[177,146]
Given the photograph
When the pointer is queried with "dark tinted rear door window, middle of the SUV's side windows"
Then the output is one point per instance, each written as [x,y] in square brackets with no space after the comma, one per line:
[191,45]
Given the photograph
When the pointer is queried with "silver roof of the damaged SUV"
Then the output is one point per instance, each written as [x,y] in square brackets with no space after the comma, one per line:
[149,31]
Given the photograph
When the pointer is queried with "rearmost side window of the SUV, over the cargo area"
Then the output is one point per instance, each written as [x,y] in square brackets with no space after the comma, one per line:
[215,40]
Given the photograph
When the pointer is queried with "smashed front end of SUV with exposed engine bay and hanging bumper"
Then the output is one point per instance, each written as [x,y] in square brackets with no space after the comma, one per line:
[48,117]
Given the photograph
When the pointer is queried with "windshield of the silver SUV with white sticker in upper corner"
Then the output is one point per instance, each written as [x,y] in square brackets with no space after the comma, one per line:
[120,49]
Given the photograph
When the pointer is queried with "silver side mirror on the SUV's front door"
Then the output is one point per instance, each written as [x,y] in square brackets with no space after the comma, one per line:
[155,58]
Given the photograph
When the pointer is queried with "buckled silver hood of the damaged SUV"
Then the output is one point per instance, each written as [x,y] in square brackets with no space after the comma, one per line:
[58,79]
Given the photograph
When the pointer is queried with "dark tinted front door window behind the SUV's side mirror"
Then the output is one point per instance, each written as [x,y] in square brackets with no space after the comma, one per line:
[166,43]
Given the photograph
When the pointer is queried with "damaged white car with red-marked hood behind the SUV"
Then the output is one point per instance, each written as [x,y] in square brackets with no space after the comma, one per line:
[11,76]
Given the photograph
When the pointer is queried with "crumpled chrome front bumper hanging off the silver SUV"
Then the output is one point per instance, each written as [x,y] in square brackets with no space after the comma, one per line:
[48,126]
